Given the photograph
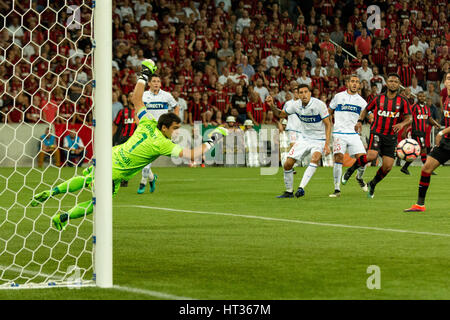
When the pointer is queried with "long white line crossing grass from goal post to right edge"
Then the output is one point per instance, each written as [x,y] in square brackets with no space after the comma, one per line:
[322,224]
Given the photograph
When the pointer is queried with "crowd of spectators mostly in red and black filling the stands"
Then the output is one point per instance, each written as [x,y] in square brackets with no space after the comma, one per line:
[218,49]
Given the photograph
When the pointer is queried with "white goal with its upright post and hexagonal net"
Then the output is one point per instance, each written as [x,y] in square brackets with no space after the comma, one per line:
[33,254]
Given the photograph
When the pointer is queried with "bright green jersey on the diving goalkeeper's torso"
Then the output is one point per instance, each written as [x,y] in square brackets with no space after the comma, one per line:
[145,145]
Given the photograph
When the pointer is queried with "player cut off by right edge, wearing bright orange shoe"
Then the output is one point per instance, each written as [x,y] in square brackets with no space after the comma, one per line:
[439,155]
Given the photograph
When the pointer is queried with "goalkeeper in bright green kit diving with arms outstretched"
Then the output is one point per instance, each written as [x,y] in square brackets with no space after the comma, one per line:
[150,140]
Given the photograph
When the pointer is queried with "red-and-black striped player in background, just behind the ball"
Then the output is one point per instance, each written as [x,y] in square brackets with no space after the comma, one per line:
[421,116]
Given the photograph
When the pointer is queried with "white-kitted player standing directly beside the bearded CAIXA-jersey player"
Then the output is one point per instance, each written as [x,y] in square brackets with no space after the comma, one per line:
[346,107]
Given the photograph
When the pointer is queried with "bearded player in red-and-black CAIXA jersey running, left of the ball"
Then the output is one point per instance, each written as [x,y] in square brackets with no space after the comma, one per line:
[387,110]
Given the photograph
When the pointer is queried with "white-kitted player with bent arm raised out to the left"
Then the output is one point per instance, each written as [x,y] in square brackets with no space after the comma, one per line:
[315,128]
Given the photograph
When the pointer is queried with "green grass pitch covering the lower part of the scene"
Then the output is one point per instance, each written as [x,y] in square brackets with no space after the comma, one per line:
[228,237]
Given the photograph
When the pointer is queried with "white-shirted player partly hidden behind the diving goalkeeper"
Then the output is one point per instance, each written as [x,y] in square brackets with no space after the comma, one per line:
[157,102]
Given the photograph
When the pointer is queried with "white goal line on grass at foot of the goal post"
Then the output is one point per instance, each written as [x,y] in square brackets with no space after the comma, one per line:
[144,292]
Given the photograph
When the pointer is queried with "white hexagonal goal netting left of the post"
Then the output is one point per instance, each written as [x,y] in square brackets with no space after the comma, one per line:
[46,89]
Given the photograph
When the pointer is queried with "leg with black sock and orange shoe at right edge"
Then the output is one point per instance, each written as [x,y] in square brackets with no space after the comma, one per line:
[437,156]
